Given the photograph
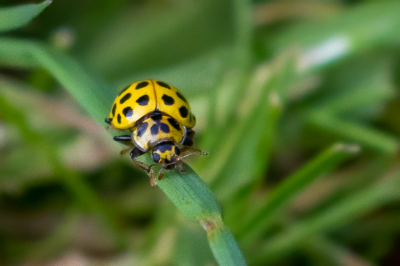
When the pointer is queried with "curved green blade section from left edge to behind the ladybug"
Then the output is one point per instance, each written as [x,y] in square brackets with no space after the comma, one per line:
[95,96]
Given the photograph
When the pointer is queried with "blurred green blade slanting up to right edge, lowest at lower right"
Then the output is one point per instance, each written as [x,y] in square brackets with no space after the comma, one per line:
[348,209]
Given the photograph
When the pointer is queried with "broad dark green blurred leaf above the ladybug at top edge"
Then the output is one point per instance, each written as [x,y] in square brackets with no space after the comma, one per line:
[153,38]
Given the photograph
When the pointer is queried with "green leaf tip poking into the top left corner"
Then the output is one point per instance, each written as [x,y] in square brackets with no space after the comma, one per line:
[17,16]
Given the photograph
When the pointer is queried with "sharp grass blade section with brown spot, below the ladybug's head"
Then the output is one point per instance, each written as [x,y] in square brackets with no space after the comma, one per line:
[195,200]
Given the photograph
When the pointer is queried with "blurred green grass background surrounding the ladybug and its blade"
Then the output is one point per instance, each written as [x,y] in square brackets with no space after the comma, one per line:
[297,103]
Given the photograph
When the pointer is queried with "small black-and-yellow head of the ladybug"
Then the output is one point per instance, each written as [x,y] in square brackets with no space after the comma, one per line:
[166,153]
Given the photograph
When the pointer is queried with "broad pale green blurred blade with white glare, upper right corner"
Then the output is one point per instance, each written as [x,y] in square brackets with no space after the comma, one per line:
[349,32]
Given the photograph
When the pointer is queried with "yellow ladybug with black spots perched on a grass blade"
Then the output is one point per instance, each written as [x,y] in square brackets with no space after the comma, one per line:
[159,119]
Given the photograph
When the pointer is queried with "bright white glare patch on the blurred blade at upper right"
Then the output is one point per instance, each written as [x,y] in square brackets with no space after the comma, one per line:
[324,53]
